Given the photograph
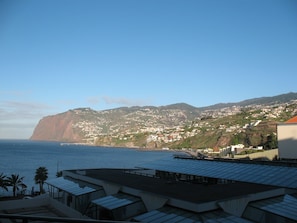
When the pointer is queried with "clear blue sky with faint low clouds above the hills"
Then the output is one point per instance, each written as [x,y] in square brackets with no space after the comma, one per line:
[57,55]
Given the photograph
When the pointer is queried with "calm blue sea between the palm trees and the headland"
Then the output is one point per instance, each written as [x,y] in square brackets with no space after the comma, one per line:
[23,157]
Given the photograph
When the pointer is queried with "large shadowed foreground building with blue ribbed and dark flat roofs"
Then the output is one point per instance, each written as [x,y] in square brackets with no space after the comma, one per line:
[181,189]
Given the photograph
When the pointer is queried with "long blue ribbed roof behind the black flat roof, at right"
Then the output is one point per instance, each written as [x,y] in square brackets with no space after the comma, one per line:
[281,176]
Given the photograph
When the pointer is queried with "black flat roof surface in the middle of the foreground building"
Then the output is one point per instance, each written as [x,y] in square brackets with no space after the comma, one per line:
[197,193]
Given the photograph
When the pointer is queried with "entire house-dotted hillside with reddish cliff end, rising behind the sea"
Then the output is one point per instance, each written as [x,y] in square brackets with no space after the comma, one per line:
[251,122]
